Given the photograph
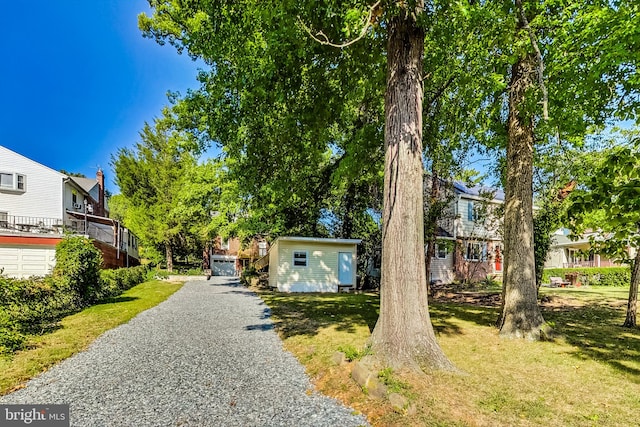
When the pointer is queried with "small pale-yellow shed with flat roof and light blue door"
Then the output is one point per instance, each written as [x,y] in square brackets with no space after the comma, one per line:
[308,264]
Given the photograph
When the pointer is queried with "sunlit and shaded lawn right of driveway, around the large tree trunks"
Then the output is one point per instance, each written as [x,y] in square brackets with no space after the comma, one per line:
[589,377]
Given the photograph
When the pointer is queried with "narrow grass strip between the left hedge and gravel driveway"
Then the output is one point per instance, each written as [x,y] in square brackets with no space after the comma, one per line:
[74,333]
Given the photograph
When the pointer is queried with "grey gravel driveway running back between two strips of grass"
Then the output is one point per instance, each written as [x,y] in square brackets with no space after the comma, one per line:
[207,356]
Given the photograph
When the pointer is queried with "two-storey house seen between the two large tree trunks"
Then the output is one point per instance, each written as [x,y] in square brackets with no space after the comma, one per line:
[468,244]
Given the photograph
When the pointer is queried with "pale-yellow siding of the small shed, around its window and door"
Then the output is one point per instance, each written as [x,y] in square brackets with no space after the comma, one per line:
[321,272]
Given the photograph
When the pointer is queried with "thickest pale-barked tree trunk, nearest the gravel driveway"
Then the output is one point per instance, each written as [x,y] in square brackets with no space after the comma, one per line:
[403,336]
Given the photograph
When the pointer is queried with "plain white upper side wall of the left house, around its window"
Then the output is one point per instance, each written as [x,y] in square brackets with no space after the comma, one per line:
[43,195]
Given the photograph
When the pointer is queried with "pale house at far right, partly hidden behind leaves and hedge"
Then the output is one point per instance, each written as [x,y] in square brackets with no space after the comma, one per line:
[566,252]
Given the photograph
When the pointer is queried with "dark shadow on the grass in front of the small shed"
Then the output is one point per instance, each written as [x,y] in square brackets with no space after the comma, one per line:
[306,314]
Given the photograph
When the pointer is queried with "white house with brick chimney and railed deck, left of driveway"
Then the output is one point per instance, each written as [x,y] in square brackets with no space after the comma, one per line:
[38,205]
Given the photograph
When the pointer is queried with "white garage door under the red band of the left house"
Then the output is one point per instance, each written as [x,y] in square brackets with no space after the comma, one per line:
[22,262]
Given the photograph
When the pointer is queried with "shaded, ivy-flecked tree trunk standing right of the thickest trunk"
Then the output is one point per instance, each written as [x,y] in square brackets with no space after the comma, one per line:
[521,316]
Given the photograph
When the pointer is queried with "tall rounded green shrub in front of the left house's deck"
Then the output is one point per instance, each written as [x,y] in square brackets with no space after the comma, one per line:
[77,269]
